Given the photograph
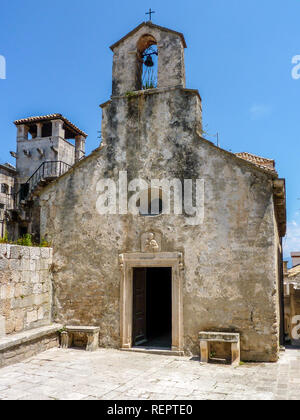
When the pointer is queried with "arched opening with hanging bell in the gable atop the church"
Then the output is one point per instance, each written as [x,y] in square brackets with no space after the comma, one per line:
[147,65]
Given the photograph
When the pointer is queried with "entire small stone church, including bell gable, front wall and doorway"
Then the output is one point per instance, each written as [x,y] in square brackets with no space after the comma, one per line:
[208,258]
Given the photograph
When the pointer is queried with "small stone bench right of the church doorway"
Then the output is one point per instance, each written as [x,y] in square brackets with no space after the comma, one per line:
[208,337]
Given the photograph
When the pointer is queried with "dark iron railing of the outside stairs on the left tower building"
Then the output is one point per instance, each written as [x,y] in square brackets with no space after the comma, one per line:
[46,171]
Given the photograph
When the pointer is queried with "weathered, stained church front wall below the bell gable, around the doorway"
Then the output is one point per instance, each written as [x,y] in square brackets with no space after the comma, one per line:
[231,275]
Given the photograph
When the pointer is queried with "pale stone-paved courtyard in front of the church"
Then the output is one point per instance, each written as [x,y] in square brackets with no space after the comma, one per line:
[110,374]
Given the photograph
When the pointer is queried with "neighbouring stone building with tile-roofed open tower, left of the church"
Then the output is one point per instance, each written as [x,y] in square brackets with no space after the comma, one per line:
[44,152]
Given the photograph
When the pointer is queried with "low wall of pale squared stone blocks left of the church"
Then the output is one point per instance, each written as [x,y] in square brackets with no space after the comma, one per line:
[25,287]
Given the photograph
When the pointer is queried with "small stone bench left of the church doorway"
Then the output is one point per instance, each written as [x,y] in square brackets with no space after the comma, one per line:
[92,334]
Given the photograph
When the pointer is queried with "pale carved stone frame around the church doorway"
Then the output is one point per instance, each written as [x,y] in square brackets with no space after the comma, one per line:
[130,261]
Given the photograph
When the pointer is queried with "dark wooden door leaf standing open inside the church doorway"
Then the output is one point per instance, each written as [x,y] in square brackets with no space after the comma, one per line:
[139,306]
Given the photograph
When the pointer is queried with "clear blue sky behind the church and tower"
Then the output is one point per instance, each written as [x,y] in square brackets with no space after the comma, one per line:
[239,56]
